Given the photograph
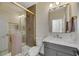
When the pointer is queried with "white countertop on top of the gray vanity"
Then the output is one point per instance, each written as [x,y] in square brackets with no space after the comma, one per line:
[61,42]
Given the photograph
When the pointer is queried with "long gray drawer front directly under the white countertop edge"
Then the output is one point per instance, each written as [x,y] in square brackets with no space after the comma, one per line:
[61,48]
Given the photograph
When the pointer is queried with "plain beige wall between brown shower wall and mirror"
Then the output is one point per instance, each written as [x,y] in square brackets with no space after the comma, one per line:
[42,28]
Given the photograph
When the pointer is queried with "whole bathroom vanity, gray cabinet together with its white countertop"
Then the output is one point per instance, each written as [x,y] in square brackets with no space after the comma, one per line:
[59,47]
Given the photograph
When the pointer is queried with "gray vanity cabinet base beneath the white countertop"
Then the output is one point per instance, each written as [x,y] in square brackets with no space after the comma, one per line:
[51,49]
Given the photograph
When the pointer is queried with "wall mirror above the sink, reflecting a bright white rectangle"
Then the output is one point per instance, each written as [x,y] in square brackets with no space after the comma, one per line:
[57,19]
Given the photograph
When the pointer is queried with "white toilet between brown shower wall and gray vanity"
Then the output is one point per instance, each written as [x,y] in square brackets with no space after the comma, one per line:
[34,51]
